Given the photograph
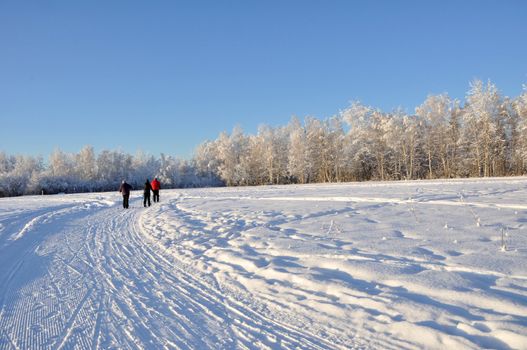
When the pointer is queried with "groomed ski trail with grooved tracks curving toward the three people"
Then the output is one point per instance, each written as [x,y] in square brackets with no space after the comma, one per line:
[90,278]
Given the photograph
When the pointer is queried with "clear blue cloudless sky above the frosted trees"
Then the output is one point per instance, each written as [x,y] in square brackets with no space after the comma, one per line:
[163,76]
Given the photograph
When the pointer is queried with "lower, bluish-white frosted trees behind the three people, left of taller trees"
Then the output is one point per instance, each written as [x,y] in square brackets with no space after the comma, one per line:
[88,172]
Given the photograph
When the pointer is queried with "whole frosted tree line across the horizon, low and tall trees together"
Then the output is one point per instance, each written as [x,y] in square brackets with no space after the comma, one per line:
[486,136]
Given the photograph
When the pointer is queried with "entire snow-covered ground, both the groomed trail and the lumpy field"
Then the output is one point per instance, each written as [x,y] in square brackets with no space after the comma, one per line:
[372,265]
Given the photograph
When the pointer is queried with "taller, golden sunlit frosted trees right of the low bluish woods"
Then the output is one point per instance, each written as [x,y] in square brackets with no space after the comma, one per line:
[487,136]
